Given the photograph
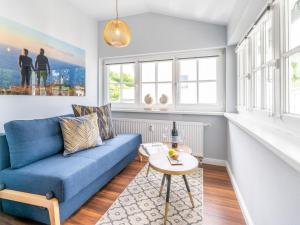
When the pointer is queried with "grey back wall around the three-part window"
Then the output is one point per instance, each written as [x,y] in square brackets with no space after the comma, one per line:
[154,33]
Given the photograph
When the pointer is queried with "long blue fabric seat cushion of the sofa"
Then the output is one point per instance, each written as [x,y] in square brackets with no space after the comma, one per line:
[66,176]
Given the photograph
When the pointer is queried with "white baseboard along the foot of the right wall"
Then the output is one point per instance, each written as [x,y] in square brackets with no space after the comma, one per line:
[239,196]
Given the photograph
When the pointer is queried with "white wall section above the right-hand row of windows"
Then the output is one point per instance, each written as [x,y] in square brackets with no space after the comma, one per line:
[244,14]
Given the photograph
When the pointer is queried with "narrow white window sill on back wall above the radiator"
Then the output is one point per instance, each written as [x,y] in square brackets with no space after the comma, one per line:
[176,112]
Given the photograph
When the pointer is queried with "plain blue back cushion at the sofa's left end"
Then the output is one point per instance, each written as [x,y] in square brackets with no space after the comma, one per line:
[32,140]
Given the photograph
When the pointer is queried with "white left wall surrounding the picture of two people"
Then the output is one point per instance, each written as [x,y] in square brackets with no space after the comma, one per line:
[66,23]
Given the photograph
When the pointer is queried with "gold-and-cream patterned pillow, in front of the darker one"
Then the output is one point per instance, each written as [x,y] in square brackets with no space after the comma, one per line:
[80,133]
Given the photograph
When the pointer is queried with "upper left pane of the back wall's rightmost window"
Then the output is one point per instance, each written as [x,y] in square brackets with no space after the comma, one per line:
[188,69]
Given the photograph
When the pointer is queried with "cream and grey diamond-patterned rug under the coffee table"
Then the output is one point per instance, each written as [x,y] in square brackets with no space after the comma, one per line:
[140,203]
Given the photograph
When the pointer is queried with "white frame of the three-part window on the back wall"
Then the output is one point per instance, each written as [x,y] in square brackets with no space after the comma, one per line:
[174,56]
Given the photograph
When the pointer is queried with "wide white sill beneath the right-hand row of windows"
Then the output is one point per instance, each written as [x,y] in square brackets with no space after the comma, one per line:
[282,142]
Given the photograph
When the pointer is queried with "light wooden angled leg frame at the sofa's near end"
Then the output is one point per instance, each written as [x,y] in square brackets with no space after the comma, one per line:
[36,200]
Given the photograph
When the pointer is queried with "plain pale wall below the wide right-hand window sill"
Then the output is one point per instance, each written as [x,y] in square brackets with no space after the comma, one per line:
[270,187]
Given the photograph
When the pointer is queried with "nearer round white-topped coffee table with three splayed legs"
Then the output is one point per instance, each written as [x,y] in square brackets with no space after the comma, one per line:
[161,163]
